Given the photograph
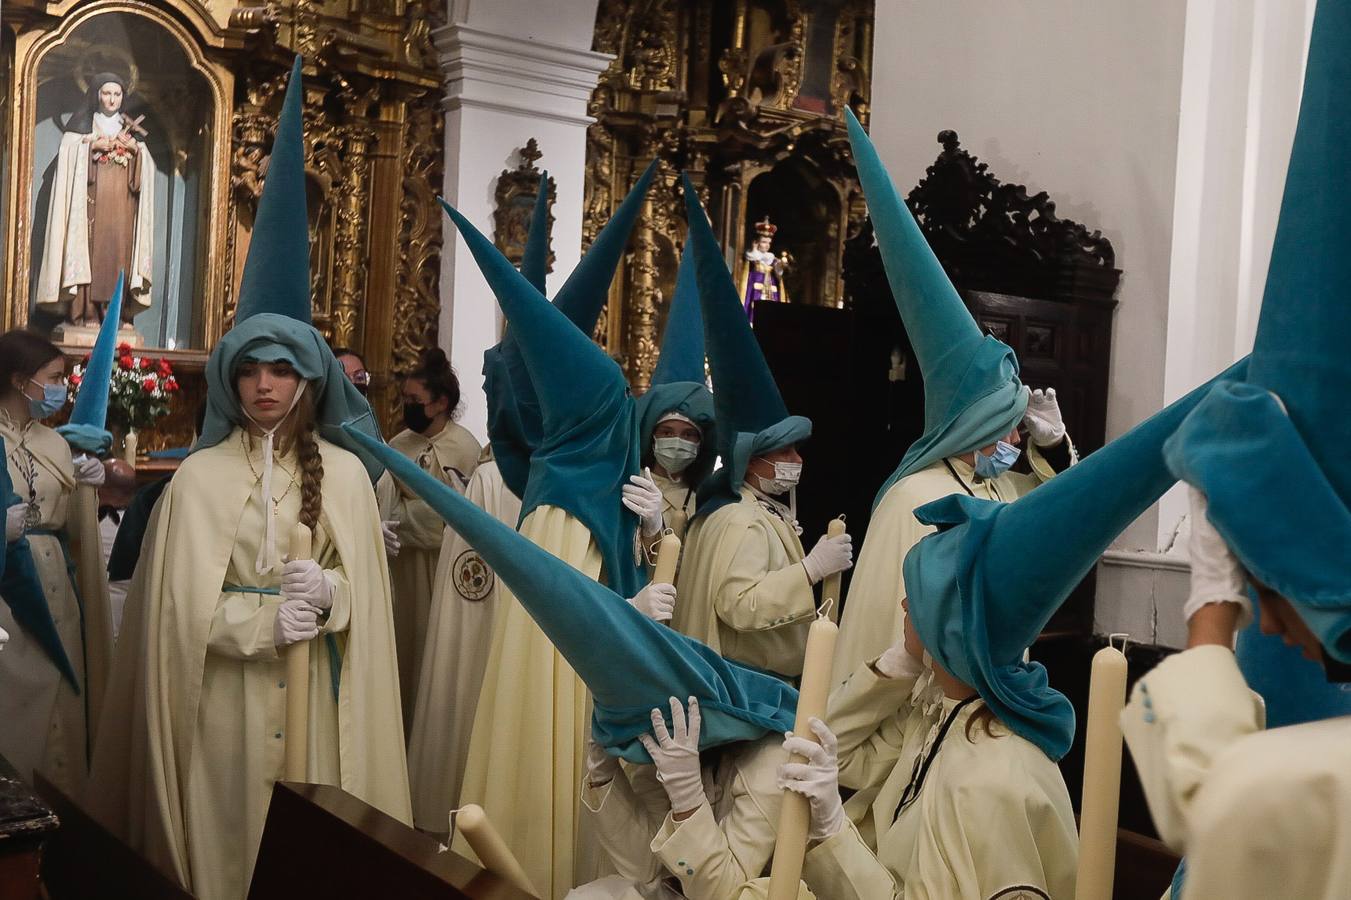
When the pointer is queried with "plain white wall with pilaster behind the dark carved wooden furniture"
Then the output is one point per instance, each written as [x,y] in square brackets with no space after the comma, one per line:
[1165,124]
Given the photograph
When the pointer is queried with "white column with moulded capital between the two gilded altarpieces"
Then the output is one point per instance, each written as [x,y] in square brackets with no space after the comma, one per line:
[502,91]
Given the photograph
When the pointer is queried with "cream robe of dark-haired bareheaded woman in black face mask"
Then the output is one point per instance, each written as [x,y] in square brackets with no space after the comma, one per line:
[449,457]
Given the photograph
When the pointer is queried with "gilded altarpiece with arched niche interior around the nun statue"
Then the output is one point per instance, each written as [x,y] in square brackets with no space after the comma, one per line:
[206,80]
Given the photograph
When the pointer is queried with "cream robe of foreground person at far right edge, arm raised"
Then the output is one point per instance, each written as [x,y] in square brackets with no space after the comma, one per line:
[1258,814]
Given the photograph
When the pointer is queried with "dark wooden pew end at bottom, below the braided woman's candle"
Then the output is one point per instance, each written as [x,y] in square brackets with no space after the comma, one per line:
[324,843]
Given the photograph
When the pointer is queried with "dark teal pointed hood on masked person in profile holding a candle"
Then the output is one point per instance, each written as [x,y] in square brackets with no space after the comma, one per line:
[752,416]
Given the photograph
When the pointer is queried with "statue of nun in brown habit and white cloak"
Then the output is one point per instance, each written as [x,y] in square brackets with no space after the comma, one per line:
[102,216]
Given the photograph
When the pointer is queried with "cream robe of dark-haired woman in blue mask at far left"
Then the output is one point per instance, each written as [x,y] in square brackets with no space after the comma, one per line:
[44,724]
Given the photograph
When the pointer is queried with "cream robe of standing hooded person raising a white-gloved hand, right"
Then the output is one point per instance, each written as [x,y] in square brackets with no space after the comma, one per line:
[872,621]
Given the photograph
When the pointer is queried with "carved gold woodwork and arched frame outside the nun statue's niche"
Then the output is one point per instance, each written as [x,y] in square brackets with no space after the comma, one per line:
[374,155]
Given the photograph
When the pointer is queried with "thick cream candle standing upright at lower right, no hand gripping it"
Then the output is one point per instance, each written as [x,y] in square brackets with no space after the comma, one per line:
[1102,776]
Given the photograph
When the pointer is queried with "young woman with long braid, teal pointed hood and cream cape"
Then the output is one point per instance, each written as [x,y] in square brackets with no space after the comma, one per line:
[195,728]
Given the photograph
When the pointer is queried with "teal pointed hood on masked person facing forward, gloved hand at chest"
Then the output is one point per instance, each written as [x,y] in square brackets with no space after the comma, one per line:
[678,384]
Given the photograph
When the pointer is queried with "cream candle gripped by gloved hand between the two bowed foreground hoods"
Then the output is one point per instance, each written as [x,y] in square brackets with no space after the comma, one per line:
[795,818]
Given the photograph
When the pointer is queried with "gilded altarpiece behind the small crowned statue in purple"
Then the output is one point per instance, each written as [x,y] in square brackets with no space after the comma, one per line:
[749,98]
